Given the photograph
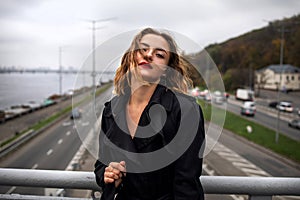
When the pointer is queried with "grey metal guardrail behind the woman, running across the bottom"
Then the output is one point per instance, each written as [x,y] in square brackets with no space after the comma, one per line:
[257,188]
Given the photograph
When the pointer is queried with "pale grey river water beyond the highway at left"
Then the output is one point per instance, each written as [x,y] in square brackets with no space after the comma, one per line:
[19,88]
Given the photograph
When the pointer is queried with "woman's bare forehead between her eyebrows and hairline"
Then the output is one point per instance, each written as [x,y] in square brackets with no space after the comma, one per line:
[155,41]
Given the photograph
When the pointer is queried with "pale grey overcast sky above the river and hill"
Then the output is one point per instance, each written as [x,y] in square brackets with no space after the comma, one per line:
[33,30]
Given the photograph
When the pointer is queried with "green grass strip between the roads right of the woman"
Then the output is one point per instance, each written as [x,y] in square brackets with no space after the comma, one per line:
[260,134]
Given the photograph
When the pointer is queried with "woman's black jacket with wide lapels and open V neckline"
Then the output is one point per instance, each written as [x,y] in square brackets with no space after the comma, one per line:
[164,159]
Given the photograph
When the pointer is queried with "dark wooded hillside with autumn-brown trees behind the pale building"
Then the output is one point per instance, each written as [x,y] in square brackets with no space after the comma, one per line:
[239,57]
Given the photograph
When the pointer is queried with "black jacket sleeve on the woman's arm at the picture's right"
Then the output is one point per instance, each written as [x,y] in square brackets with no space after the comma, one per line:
[188,167]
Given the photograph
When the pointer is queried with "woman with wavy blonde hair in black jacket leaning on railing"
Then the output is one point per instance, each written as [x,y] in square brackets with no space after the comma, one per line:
[151,132]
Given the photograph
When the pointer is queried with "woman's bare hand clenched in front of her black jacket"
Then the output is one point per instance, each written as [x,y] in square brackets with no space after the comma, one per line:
[114,173]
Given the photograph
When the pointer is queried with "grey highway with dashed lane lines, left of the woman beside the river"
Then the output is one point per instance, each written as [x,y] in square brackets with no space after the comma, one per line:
[52,149]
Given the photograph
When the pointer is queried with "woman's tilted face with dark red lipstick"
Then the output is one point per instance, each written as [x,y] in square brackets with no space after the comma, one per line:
[153,57]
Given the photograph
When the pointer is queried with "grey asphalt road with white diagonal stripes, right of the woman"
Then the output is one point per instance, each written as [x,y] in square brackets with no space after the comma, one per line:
[232,155]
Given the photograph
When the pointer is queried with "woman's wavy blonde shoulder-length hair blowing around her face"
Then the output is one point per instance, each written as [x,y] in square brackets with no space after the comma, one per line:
[176,79]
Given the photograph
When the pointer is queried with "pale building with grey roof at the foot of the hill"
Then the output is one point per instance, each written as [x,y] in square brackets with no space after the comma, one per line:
[274,77]
